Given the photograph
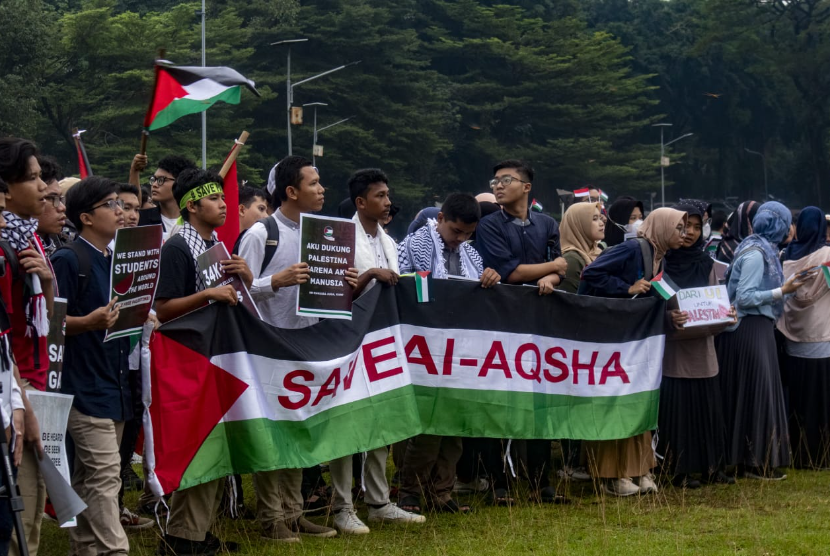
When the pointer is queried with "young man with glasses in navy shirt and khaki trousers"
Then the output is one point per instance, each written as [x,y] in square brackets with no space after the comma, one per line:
[94,372]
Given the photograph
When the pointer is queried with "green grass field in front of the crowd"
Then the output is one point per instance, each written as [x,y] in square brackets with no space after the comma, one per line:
[790,517]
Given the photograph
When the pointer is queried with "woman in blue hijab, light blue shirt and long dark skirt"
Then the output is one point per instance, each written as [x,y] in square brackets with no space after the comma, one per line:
[756,422]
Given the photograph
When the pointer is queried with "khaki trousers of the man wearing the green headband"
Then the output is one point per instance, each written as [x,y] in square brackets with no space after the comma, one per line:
[193,510]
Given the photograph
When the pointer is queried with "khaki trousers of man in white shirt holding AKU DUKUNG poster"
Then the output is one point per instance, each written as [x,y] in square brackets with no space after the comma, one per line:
[278,496]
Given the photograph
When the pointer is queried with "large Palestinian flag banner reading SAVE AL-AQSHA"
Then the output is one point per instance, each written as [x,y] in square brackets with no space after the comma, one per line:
[231,394]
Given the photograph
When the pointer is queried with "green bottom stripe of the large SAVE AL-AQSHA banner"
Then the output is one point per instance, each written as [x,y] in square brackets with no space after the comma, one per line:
[238,446]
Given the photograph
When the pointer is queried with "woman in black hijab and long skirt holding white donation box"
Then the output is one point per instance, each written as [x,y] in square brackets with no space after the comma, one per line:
[691,439]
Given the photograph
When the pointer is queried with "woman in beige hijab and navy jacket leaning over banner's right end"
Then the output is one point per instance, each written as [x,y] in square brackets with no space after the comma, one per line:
[625,465]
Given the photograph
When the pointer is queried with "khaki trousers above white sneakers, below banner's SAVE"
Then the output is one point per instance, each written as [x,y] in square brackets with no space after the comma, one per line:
[374,480]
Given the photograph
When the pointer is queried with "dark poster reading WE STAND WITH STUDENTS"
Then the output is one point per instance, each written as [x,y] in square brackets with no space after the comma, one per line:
[133,277]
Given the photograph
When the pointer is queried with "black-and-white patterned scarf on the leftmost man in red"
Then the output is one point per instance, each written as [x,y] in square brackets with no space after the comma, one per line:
[20,233]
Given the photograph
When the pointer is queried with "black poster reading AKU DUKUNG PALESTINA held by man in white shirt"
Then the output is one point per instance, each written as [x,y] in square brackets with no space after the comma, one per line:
[327,245]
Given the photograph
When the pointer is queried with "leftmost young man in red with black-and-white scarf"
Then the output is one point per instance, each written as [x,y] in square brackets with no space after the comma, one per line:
[28,297]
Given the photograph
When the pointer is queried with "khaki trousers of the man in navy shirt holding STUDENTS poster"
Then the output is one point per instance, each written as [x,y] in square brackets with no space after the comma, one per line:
[97,480]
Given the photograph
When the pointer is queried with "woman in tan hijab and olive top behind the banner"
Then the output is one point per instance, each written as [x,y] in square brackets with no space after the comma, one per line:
[581,231]
